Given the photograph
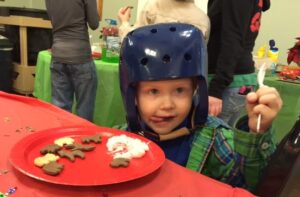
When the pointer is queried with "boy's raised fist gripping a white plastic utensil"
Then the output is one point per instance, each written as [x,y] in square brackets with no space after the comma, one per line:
[265,101]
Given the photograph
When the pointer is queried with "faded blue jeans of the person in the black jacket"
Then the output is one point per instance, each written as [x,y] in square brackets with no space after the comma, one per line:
[233,105]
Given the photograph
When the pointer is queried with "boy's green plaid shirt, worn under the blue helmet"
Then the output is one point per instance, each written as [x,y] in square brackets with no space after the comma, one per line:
[234,156]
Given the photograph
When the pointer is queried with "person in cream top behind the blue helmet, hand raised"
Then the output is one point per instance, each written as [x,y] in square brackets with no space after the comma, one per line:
[163,11]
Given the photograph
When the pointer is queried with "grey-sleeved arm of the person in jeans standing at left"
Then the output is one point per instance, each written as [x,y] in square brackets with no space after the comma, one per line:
[92,14]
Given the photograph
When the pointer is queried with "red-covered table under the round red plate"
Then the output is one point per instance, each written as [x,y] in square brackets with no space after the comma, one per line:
[19,116]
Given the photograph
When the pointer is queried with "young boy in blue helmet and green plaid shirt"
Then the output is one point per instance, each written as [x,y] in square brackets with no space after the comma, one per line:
[165,95]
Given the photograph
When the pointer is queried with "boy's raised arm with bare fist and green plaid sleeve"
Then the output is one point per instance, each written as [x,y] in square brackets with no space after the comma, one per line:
[256,146]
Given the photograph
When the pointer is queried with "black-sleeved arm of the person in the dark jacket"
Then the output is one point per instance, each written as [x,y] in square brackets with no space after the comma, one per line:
[235,24]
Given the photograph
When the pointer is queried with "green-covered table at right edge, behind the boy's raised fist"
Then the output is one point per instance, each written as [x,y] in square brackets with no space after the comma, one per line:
[290,94]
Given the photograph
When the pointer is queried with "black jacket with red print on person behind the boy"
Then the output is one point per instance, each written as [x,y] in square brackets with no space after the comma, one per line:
[234,28]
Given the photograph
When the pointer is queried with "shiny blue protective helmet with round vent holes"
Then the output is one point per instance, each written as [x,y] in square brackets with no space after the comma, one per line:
[161,52]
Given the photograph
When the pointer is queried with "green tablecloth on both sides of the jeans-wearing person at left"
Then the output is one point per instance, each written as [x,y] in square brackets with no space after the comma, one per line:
[109,110]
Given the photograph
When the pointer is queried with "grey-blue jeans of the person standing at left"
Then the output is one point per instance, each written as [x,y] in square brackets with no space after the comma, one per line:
[79,80]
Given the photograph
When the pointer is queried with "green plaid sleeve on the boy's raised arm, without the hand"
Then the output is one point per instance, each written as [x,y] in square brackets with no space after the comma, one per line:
[253,152]
